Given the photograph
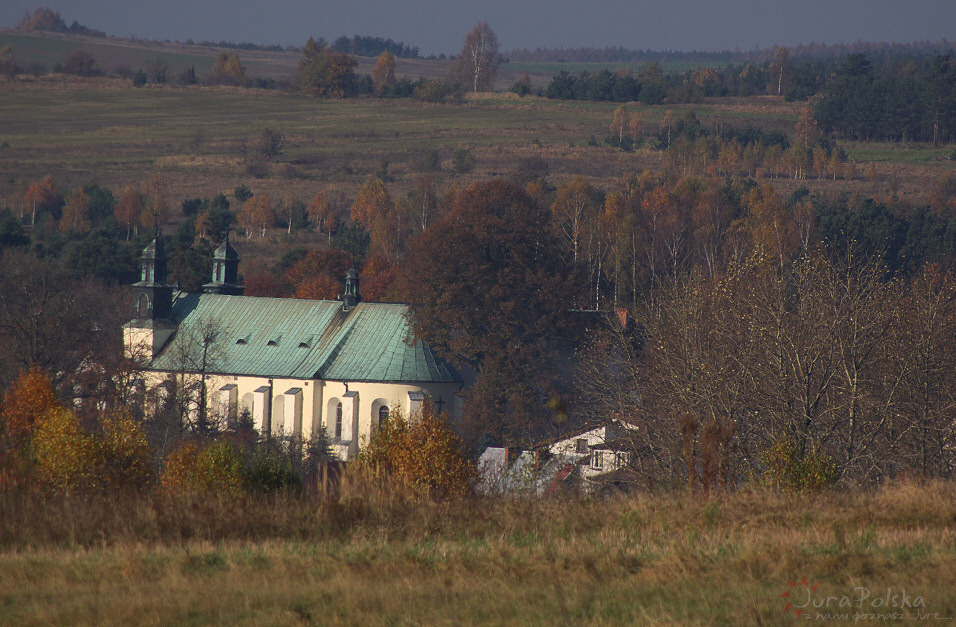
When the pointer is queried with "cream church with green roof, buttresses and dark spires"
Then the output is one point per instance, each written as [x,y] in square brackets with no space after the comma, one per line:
[295,365]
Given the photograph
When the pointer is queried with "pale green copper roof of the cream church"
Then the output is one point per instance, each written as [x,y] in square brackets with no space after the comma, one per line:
[301,339]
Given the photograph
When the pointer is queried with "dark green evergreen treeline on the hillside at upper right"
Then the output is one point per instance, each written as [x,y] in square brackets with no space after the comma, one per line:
[911,98]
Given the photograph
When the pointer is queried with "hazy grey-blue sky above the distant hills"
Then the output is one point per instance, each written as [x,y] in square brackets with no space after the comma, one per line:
[439,25]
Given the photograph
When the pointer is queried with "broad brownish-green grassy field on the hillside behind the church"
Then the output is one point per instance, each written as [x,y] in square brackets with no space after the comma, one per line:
[108,131]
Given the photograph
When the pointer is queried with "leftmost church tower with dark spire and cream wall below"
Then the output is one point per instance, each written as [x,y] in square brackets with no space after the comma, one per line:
[153,323]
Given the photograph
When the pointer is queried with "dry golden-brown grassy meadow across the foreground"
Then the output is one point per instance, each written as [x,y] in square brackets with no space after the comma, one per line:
[370,558]
